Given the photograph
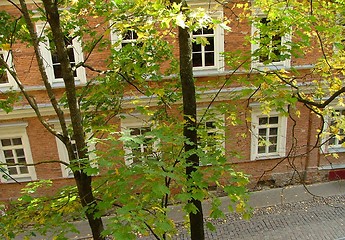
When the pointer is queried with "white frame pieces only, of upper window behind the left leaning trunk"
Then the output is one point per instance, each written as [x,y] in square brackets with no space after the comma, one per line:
[48,63]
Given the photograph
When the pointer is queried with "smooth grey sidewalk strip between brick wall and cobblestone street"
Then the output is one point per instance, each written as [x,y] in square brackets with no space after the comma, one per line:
[259,199]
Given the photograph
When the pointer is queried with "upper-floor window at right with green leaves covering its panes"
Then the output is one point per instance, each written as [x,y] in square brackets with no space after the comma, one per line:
[270,41]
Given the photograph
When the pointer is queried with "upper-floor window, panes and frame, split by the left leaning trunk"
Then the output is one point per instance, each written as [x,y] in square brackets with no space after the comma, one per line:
[52,63]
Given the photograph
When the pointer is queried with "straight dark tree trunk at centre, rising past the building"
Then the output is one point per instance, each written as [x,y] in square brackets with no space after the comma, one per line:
[190,130]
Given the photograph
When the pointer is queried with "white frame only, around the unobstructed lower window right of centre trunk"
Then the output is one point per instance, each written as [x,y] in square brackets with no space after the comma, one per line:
[281,135]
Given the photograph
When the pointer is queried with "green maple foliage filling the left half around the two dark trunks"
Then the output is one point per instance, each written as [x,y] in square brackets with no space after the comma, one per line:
[131,195]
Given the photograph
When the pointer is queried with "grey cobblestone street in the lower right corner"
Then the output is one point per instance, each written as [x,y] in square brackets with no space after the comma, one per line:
[319,219]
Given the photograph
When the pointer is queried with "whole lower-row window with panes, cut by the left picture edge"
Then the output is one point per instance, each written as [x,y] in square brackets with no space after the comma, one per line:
[15,150]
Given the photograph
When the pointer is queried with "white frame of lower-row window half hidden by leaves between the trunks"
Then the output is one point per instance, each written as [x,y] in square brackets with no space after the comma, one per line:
[134,121]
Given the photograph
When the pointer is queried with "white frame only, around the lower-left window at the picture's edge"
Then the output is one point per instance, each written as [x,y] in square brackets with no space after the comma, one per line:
[17,130]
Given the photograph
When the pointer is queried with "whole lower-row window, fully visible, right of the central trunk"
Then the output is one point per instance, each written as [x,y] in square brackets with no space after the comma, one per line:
[268,135]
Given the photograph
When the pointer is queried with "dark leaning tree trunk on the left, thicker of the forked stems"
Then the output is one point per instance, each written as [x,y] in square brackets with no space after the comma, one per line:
[83,181]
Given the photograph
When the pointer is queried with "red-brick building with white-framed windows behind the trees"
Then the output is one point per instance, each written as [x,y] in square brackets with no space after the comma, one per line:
[289,153]
